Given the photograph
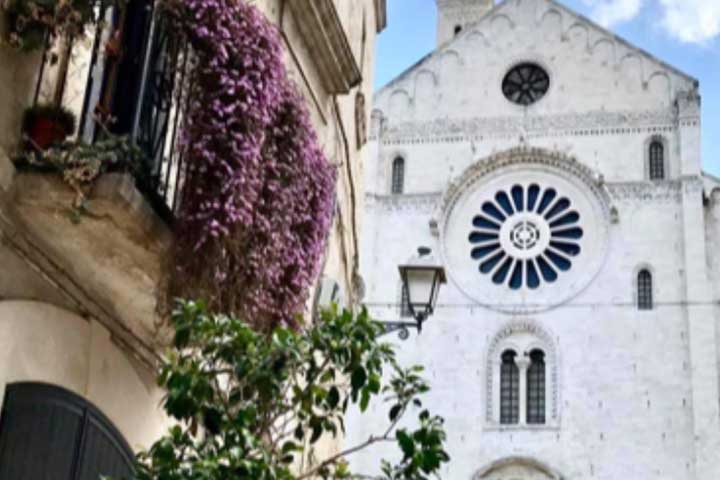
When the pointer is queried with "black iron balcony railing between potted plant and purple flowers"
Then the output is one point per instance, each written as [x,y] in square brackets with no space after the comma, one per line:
[138,84]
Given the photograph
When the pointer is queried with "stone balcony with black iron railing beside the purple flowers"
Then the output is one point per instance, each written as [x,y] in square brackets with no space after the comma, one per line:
[127,79]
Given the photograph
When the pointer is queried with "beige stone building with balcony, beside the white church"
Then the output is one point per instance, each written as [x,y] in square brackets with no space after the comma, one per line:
[79,327]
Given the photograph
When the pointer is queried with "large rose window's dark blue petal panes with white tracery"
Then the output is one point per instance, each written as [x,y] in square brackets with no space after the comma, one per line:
[525,236]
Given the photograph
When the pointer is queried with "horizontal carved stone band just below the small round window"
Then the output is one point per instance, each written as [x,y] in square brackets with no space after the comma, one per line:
[578,124]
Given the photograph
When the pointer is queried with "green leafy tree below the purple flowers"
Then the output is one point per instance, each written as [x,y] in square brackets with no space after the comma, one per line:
[252,406]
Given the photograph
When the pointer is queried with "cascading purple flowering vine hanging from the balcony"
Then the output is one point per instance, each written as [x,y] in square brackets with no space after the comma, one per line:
[258,197]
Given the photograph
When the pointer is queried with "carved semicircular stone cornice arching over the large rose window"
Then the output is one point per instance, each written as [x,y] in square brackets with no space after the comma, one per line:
[523,155]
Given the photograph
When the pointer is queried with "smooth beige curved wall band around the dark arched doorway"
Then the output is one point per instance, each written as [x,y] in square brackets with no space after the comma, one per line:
[43,343]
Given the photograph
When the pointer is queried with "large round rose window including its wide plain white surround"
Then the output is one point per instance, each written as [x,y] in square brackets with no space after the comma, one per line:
[525,240]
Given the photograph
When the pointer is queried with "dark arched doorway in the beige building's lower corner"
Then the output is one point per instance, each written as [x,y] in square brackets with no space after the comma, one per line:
[49,433]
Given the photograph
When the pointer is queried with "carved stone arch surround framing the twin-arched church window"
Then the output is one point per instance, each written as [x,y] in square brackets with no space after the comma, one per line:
[503,338]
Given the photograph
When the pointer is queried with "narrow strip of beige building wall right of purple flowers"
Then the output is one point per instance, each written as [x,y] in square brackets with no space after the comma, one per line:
[335,122]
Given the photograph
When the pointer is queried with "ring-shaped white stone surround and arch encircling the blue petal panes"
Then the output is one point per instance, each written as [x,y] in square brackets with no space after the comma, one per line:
[467,192]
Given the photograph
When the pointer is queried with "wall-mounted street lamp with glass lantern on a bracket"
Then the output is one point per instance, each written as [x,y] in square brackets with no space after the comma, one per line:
[421,278]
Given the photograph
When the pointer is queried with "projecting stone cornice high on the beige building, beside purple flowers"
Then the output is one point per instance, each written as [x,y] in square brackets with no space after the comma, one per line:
[323,32]
